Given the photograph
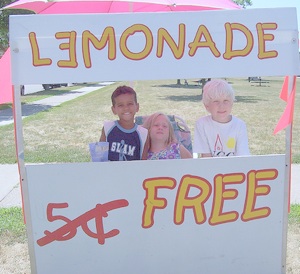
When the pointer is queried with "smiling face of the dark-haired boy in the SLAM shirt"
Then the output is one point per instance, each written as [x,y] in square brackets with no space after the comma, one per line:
[125,107]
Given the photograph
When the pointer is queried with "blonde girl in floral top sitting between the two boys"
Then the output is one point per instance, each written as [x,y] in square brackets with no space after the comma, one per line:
[162,141]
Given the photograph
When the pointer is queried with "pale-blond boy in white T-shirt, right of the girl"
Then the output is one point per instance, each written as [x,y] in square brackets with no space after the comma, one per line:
[220,133]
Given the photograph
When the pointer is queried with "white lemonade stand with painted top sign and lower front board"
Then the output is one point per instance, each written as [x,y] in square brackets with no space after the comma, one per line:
[217,215]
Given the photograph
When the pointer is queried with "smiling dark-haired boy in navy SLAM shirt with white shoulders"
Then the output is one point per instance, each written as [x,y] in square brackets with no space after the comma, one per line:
[127,140]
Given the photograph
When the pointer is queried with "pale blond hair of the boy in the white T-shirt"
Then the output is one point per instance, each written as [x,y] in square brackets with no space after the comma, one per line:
[215,89]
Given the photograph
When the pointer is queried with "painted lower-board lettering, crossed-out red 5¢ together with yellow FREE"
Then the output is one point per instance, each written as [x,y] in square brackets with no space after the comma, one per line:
[183,202]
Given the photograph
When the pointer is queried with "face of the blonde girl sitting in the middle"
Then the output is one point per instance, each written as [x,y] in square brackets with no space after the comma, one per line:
[159,130]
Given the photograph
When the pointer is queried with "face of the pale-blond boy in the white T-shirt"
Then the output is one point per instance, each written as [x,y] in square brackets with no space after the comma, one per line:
[220,109]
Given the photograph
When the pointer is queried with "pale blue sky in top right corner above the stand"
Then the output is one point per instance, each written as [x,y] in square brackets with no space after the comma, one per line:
[276,4]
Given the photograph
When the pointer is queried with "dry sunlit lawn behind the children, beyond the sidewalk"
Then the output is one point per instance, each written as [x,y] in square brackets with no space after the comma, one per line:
[62,134]
